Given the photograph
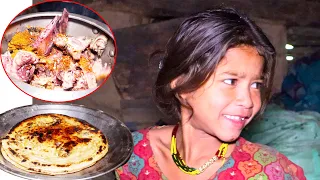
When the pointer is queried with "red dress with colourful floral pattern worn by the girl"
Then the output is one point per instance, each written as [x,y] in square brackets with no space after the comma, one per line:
[248,161]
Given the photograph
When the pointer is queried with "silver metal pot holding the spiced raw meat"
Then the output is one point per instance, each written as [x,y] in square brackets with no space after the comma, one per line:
[78,25]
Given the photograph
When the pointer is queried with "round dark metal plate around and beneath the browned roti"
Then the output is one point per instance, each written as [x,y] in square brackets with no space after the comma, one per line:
[118,135]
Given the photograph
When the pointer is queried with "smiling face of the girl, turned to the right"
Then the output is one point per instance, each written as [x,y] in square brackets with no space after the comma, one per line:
[230,99]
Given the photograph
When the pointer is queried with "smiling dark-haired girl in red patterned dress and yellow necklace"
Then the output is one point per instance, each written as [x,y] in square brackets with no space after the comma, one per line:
[216,77]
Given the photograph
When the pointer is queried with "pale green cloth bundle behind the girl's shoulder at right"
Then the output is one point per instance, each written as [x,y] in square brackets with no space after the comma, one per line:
[294,134]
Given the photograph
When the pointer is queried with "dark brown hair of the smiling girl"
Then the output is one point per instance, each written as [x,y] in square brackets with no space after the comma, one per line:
[196,48]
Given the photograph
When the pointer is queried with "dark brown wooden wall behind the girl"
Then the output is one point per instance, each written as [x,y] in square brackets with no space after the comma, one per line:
[141,27]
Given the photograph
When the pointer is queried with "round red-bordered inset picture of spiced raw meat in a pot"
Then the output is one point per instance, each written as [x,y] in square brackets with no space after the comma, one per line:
[58,51]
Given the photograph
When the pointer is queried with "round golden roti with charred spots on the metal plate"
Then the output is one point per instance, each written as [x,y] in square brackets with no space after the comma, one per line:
[54,144]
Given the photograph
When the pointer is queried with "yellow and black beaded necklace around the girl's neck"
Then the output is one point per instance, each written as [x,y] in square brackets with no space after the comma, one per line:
[220,154]
